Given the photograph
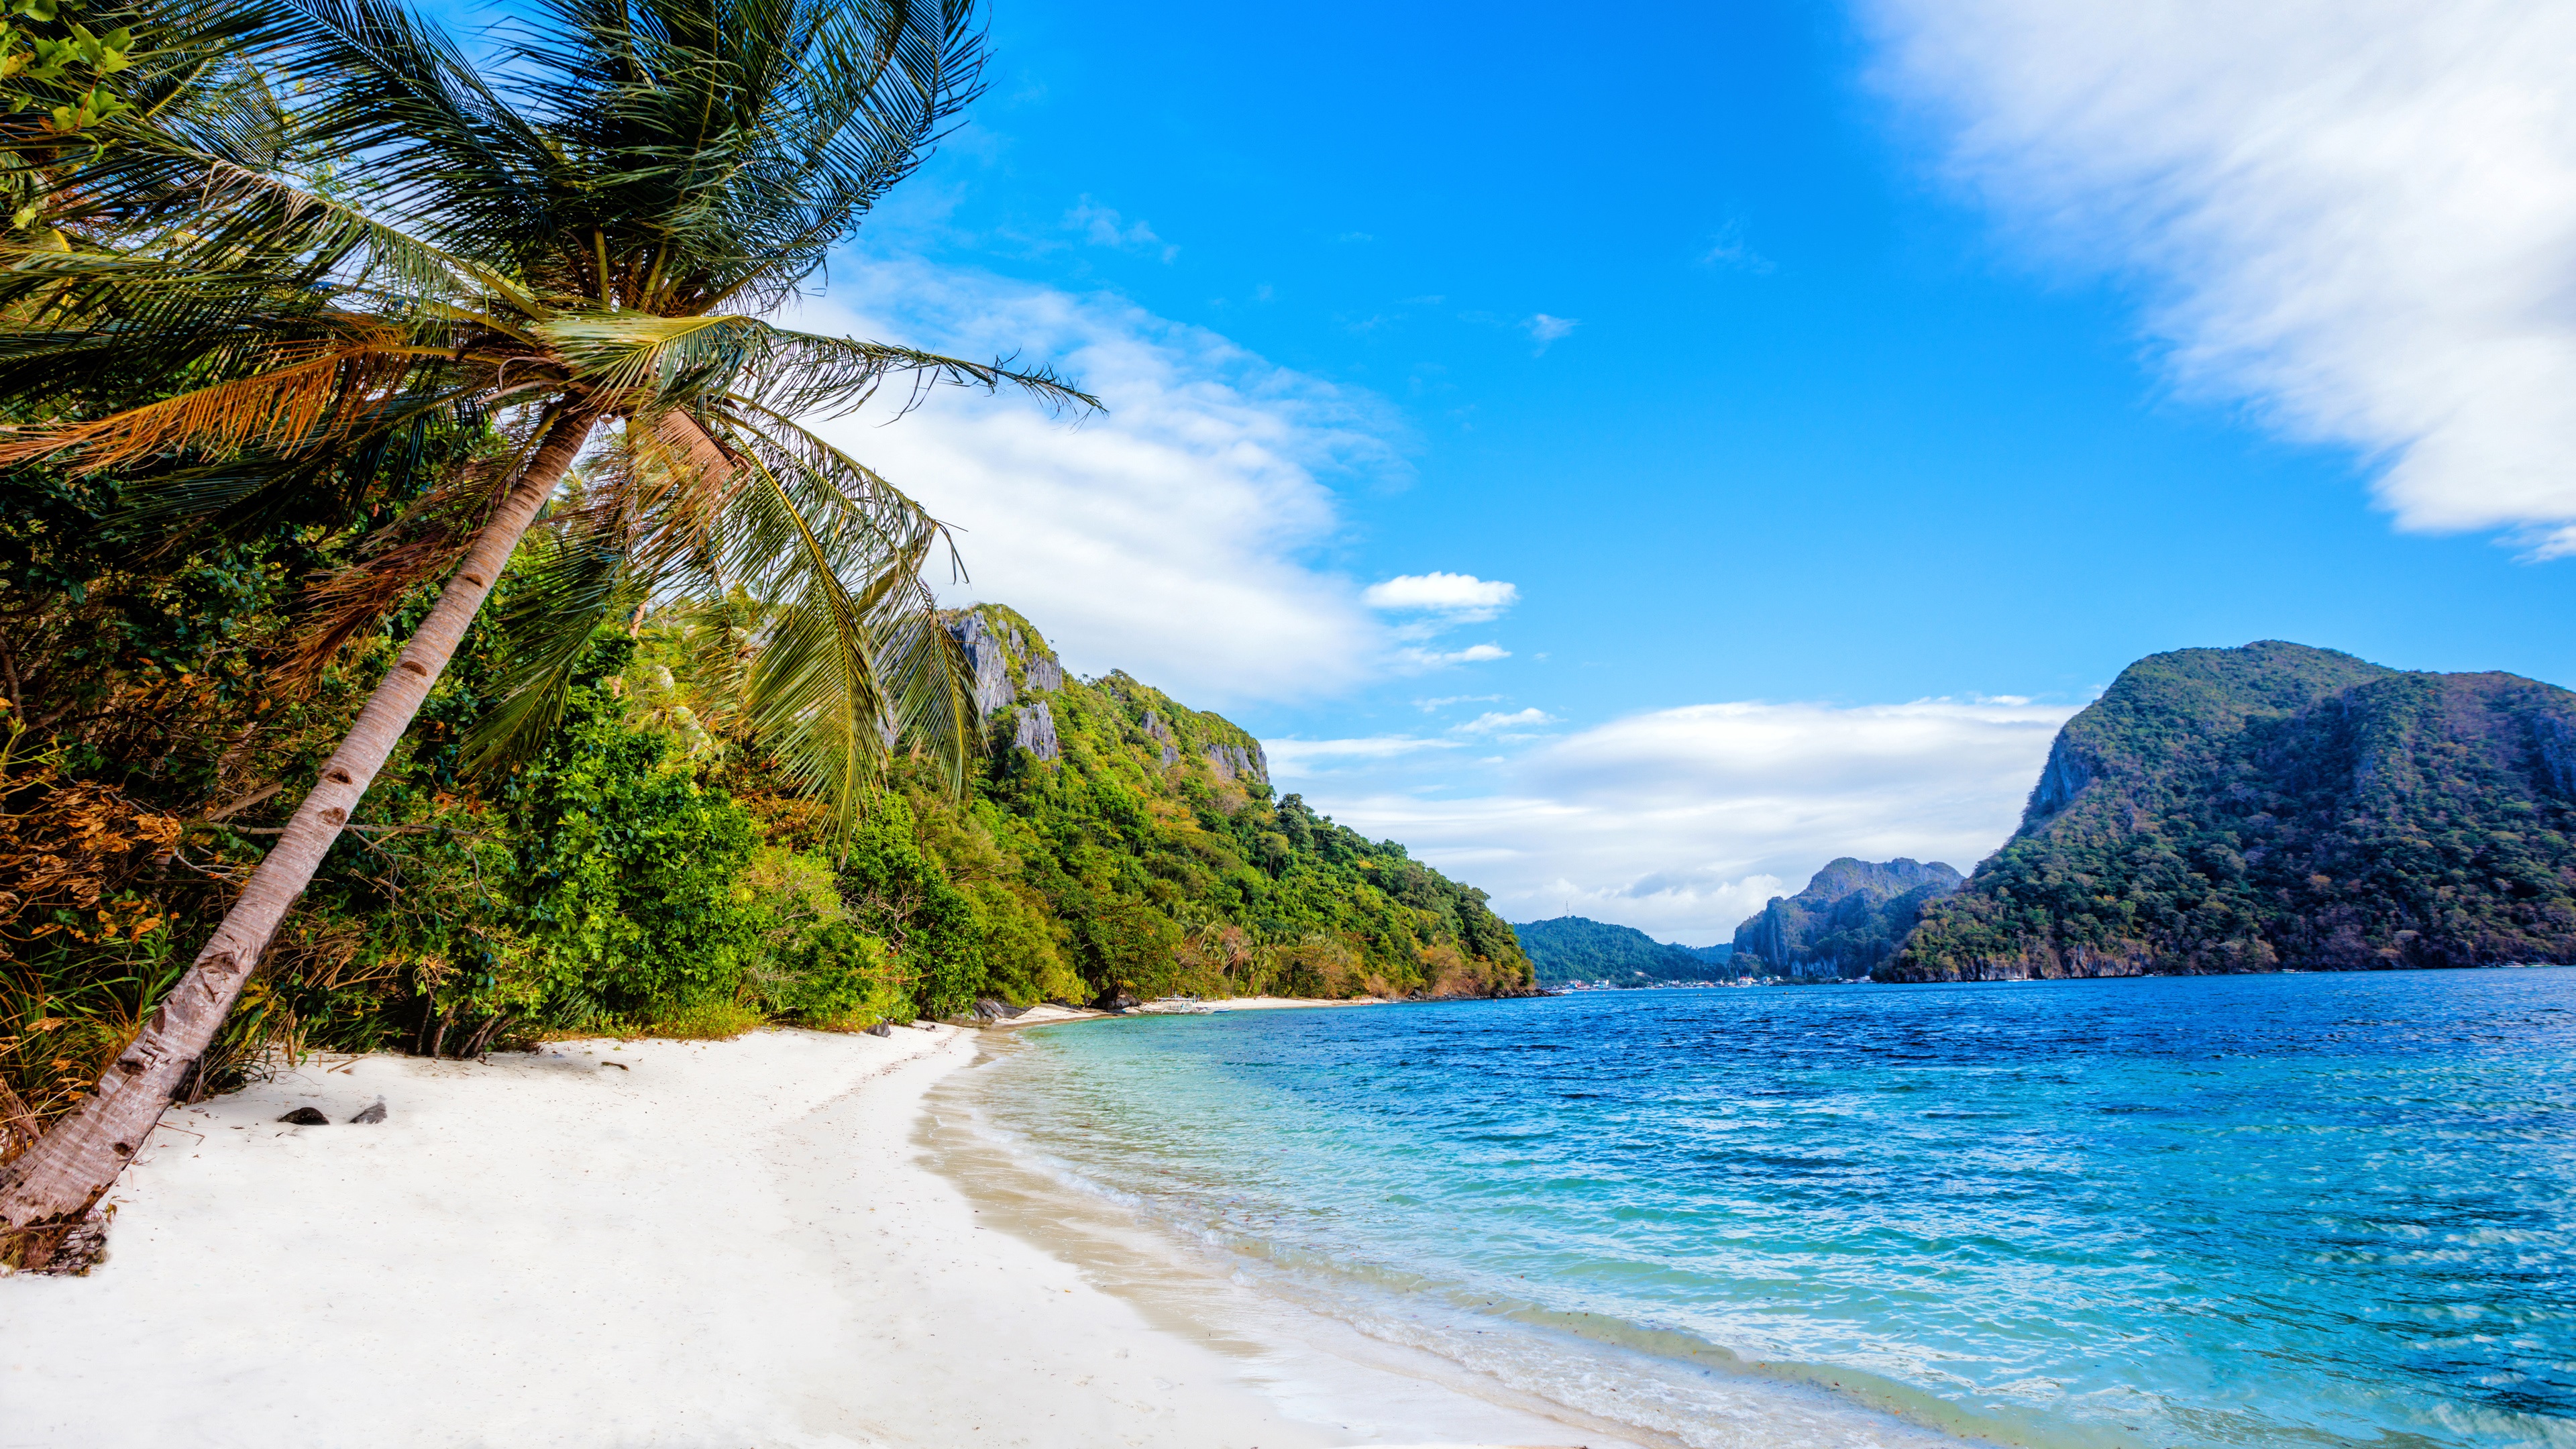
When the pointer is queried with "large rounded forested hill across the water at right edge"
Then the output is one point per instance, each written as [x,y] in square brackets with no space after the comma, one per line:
[2276,806]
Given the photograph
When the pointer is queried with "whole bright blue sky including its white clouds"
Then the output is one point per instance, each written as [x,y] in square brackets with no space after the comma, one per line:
[1843,393]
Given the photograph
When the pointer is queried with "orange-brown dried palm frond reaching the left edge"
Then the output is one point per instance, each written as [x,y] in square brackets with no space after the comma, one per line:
[287,409]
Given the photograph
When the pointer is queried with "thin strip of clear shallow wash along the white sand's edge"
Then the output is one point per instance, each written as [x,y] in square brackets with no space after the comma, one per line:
[1341,1339]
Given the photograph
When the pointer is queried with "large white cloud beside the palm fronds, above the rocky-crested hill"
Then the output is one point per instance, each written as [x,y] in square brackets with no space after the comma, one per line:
[1171,538]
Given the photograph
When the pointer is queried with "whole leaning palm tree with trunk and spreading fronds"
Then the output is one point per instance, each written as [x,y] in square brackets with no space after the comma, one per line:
[565,257]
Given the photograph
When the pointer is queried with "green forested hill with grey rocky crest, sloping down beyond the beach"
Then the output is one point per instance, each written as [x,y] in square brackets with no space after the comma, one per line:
[1145,842]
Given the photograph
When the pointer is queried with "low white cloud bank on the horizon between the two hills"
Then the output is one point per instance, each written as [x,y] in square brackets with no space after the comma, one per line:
[1686,821]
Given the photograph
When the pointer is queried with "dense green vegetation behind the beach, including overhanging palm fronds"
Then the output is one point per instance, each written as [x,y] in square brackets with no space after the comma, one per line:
[702,757]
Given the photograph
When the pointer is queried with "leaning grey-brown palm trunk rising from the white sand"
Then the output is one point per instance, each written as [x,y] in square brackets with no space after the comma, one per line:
[66,1172]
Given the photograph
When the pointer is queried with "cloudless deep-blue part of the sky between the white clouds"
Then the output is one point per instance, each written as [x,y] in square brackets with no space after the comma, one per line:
[1820,429]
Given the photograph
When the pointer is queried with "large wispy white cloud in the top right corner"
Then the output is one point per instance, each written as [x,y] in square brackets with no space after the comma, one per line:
[2361,215]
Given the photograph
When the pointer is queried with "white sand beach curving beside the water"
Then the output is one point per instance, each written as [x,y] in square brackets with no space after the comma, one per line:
[648,1244]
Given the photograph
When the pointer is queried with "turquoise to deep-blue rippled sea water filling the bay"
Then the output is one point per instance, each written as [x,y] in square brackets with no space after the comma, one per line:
[2224,1211]
